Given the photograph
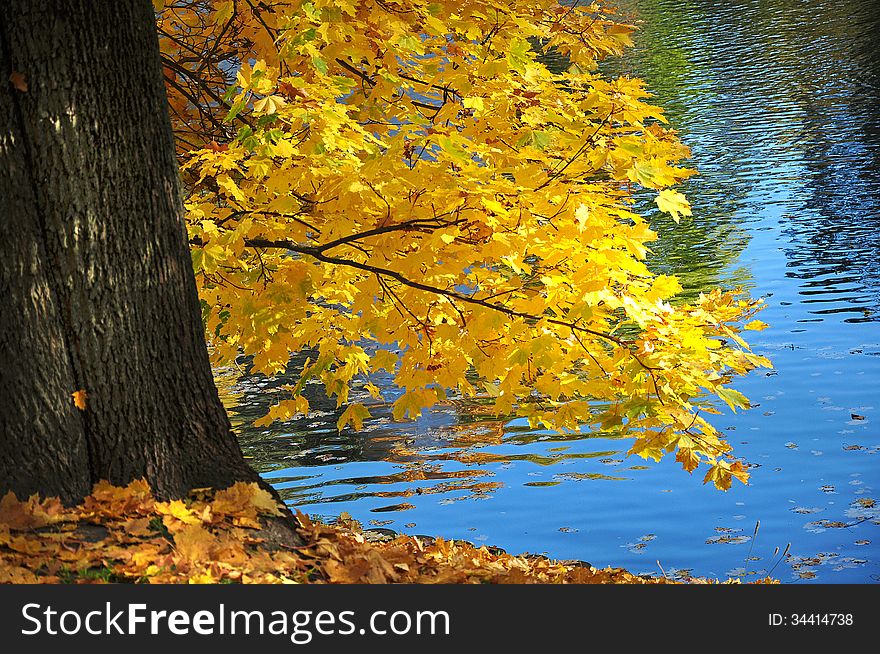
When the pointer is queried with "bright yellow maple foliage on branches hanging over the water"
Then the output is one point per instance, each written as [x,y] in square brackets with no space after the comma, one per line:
[404,186]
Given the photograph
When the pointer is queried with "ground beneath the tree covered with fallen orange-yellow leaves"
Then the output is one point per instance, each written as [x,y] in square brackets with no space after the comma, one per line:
[240,535]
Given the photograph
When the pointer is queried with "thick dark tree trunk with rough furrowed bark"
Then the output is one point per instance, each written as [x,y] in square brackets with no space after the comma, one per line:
[96,285]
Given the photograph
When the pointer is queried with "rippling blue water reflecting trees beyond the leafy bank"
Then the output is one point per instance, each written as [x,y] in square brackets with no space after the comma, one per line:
[780,103]
